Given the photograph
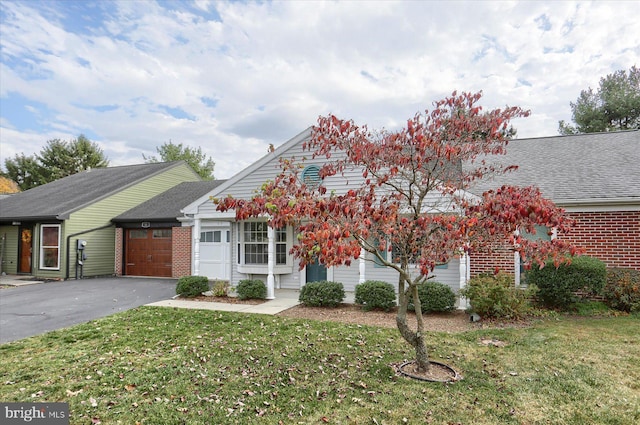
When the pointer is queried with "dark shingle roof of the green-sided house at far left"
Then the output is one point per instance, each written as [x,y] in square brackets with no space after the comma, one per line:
[58,199]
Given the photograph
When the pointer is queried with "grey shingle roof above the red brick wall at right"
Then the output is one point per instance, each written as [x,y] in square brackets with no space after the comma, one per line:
[592,168]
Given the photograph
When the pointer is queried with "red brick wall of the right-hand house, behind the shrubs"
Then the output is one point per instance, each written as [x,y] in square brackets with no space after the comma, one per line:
[613,237]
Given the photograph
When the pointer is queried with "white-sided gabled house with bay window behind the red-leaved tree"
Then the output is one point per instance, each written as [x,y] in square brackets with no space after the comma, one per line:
[251,250]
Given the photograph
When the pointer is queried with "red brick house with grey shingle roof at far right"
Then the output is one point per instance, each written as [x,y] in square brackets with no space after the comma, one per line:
[595,177]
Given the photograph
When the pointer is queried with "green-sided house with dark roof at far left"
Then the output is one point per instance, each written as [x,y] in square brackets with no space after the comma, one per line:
[64,230]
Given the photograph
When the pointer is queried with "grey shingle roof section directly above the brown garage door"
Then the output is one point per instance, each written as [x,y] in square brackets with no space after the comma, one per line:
[168,204]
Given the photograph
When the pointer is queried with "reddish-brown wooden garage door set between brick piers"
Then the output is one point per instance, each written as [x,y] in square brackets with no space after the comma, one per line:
[148,252]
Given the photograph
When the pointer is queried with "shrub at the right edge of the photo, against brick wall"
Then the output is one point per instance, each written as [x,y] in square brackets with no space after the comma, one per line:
[622,290]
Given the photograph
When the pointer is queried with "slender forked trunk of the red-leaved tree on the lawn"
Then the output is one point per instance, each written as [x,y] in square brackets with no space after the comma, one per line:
[414,338]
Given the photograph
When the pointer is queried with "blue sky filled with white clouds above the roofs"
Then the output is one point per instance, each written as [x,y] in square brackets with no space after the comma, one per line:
[233,77]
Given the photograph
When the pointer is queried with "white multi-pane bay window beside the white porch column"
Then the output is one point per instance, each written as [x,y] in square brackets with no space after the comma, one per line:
[255,241]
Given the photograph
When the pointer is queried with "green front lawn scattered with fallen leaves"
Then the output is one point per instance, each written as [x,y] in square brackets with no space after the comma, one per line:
[170,366]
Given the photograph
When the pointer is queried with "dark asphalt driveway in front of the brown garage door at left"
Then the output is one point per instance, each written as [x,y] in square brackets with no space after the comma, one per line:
[35,309]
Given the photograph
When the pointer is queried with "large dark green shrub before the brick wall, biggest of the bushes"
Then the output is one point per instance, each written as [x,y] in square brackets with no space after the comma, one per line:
[557,287]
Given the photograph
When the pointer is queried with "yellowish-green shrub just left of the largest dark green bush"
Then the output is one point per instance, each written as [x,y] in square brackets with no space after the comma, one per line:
[497,297]
